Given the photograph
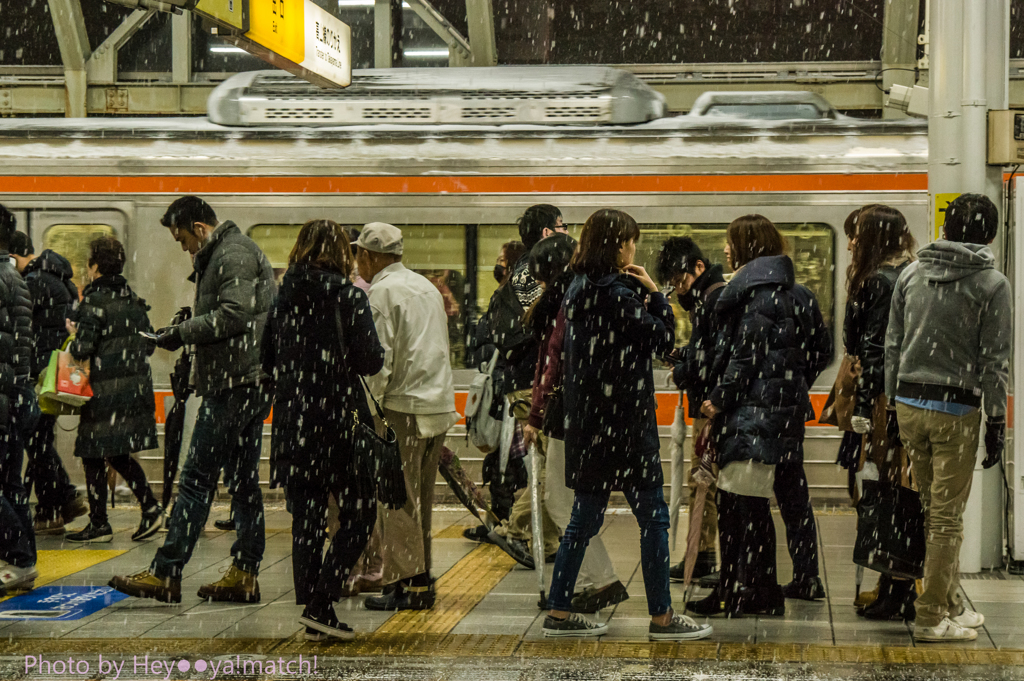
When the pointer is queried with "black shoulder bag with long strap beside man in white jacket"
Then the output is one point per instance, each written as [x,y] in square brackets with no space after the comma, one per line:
[376,456]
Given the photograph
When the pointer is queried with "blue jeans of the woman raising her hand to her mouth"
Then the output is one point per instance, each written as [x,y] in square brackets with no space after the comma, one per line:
[588,516]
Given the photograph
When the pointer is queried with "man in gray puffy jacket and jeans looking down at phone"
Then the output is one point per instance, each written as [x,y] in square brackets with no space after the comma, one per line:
[235,292]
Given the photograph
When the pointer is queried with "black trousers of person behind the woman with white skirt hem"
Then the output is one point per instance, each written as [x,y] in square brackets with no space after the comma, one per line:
[801,532]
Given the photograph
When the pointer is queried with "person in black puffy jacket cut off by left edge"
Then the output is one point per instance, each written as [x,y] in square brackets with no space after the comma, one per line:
[19,413]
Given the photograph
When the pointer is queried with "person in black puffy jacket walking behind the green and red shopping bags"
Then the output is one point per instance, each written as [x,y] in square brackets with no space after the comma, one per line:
[55,297]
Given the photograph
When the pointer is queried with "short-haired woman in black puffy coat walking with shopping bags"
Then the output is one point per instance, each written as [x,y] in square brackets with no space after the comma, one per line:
[120,418]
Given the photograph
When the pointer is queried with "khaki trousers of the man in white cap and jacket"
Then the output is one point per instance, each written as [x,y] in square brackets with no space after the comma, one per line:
[405,534]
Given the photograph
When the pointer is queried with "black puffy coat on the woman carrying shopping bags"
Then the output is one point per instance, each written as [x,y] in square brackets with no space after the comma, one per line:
[120,417]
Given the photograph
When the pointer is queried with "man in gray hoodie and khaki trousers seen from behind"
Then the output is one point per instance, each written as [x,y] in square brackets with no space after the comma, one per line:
[948,354]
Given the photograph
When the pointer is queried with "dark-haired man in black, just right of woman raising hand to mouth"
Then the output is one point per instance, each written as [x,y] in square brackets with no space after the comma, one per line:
[699,285]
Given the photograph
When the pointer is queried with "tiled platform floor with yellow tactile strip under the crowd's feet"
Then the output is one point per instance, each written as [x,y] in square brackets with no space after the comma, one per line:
[491,608]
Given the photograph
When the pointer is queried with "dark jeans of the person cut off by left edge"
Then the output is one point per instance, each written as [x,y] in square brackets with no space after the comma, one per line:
[18,540]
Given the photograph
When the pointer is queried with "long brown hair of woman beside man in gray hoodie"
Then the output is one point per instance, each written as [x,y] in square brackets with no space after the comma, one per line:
[882,234]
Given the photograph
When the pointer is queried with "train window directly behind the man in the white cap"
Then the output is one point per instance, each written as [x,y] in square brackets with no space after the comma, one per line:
[437,251]
